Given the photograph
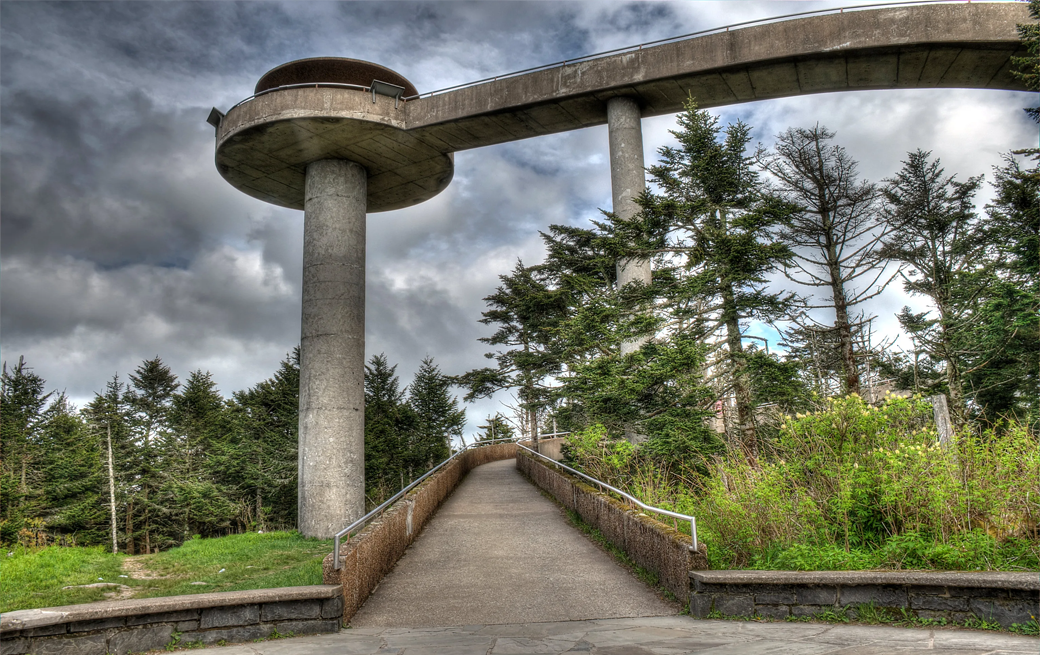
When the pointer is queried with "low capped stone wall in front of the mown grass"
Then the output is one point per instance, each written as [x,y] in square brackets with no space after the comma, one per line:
[135,626]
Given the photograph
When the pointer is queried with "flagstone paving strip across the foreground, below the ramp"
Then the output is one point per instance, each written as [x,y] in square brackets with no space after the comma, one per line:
[648,636]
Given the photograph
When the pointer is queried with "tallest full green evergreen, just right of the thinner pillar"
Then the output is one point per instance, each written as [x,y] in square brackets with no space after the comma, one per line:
[719,224]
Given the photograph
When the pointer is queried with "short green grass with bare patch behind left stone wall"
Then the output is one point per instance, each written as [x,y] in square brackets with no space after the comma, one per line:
[36,579]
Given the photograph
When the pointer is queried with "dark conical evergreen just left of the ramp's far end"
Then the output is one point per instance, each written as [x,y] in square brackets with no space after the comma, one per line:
[438,417]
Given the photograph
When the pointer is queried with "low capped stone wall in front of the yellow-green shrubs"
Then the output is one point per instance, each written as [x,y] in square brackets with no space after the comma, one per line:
[1001,597]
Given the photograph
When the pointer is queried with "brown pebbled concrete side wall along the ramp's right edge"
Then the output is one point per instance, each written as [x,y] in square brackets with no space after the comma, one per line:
[654,545]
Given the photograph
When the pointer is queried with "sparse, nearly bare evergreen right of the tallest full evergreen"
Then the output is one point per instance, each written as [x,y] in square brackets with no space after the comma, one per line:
[837,233]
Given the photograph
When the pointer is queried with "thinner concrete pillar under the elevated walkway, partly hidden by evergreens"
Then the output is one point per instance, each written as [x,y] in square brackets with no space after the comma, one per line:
[628,182]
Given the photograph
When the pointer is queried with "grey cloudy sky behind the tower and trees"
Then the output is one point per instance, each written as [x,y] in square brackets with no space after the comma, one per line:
[121,242]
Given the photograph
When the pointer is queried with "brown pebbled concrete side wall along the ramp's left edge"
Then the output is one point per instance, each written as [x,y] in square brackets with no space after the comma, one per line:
[371,555]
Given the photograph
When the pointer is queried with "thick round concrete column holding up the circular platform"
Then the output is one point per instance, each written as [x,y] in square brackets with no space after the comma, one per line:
[332,350]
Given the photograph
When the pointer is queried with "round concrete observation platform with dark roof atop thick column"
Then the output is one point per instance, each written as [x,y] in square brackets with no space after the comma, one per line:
[265,144]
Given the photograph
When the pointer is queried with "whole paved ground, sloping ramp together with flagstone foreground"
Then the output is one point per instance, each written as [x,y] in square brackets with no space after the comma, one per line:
[505,571]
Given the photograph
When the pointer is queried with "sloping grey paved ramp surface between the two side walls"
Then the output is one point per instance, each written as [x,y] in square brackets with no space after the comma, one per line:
[499,553]
